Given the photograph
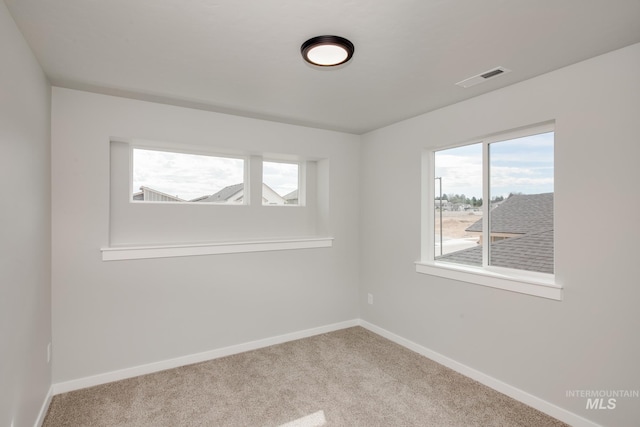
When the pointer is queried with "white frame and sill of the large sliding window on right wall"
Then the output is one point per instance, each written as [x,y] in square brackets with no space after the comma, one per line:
[522,281]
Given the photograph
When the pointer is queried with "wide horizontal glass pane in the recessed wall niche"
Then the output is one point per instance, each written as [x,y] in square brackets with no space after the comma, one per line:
[164,176]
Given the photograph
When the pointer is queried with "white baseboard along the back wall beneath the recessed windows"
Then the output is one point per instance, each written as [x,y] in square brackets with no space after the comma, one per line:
[135,371]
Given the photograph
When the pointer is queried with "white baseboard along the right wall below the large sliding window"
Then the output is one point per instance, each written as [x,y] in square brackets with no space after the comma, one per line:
[504,388]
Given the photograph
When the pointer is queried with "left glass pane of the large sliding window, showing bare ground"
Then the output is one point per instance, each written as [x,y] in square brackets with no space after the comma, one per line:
[458,205]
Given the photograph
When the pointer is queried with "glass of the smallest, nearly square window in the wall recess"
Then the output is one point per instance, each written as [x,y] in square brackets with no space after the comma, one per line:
[280,183]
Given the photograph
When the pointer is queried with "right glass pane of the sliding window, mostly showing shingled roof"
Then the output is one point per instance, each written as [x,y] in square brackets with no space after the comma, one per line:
[521,214]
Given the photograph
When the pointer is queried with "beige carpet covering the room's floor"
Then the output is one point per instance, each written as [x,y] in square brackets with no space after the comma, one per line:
[351,377]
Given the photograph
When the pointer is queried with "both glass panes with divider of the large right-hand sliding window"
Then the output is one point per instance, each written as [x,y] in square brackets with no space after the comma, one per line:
[493,204]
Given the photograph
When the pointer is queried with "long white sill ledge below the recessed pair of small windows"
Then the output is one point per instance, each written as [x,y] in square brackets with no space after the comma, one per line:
[167,251]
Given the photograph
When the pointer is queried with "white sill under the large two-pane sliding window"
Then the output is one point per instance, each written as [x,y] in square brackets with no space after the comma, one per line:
[535,286]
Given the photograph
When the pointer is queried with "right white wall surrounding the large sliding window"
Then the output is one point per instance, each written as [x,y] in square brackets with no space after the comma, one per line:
[590,339]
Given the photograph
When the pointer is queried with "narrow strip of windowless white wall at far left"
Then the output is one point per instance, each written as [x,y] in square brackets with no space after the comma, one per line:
[25,269]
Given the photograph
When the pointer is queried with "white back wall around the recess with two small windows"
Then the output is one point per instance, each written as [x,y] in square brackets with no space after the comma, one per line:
[115,315]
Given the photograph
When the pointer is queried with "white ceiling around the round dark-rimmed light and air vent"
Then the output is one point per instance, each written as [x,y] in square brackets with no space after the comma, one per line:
[243,57]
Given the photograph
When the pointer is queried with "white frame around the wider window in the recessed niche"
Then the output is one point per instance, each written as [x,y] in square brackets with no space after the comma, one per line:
[169,149]
